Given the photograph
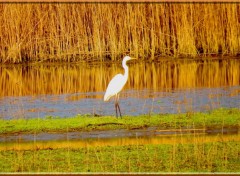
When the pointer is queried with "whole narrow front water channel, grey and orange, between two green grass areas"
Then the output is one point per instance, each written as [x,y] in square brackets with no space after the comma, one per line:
[116,138]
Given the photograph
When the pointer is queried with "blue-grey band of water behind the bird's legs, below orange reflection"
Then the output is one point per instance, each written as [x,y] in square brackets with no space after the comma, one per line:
[132,102]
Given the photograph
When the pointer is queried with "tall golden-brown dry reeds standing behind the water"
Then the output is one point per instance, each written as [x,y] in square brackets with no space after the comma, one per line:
[94,31]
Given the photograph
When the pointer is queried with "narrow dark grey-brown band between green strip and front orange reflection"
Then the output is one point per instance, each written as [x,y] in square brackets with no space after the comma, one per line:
[149,132]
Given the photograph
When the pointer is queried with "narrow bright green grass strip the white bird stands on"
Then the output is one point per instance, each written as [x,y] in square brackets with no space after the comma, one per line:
[214,119]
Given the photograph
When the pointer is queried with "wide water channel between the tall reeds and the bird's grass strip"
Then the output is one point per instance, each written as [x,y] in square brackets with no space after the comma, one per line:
[169,86]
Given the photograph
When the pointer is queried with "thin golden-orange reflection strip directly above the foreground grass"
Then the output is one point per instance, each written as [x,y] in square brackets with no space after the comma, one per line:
[76,144]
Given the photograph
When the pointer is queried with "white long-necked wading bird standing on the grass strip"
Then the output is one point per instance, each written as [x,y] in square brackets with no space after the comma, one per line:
[117,84]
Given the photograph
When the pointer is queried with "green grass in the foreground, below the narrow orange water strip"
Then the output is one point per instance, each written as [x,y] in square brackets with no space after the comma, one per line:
[196,157]
